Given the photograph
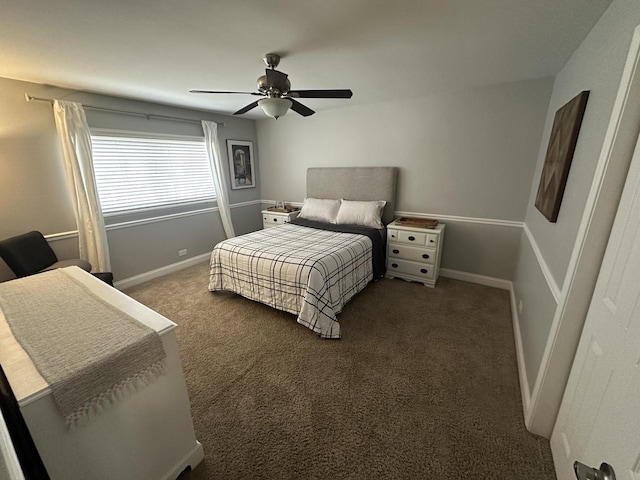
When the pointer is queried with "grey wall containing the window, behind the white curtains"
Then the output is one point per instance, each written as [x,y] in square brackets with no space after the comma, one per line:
[33,193]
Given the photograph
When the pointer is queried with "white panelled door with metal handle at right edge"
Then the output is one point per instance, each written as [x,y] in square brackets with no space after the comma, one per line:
[599,419]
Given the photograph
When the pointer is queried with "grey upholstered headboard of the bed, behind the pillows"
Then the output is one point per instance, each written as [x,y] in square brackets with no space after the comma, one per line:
[355,183]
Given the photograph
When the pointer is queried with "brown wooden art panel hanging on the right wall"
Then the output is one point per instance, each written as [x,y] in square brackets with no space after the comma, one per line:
[562,144]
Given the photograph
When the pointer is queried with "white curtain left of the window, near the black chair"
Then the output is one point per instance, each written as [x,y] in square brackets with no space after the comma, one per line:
[75,139]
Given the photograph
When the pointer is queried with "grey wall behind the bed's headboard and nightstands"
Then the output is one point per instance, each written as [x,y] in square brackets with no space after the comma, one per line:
[468,153]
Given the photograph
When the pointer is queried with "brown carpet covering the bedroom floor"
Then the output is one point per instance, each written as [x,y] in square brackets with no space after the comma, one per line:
[423,384]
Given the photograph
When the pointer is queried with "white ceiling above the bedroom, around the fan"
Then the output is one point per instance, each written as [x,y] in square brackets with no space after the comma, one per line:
[158,50]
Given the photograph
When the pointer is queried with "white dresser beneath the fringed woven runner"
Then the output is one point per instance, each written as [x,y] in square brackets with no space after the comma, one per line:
[148,435]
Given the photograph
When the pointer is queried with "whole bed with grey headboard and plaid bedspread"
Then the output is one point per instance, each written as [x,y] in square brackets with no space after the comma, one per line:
[312,267]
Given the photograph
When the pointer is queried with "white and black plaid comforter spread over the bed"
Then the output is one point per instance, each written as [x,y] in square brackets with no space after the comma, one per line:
[306,271]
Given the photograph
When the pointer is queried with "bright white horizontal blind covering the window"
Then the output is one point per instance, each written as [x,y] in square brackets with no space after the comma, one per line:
[134,173]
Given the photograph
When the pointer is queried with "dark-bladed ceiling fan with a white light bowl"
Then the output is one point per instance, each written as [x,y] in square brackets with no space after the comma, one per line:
[275,87]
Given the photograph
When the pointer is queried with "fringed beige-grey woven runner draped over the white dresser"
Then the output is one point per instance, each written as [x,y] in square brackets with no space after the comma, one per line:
[90,353]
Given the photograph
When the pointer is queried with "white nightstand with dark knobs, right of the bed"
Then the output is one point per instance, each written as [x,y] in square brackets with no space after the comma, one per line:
[413,253]
